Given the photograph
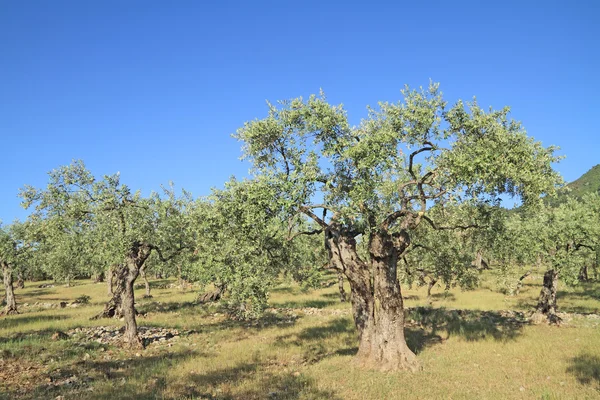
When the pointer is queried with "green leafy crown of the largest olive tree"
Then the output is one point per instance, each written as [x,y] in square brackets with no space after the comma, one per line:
[412,162]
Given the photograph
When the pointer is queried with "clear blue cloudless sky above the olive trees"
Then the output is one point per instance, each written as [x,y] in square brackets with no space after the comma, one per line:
[154,89]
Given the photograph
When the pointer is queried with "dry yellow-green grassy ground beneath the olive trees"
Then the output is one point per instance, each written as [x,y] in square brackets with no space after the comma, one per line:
[472,345]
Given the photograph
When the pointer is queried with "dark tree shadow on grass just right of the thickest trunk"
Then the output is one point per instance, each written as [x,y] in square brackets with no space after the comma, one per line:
[471,325]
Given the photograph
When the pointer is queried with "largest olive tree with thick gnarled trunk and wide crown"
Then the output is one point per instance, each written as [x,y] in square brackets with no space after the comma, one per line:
[379,181]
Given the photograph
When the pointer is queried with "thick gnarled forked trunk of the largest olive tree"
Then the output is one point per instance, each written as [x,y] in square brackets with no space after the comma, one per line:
[377,306]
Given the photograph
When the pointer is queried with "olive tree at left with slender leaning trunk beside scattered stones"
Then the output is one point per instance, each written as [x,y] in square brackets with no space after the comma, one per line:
[128,228]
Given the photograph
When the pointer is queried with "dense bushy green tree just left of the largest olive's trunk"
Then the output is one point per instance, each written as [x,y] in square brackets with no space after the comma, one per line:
[241,247]
